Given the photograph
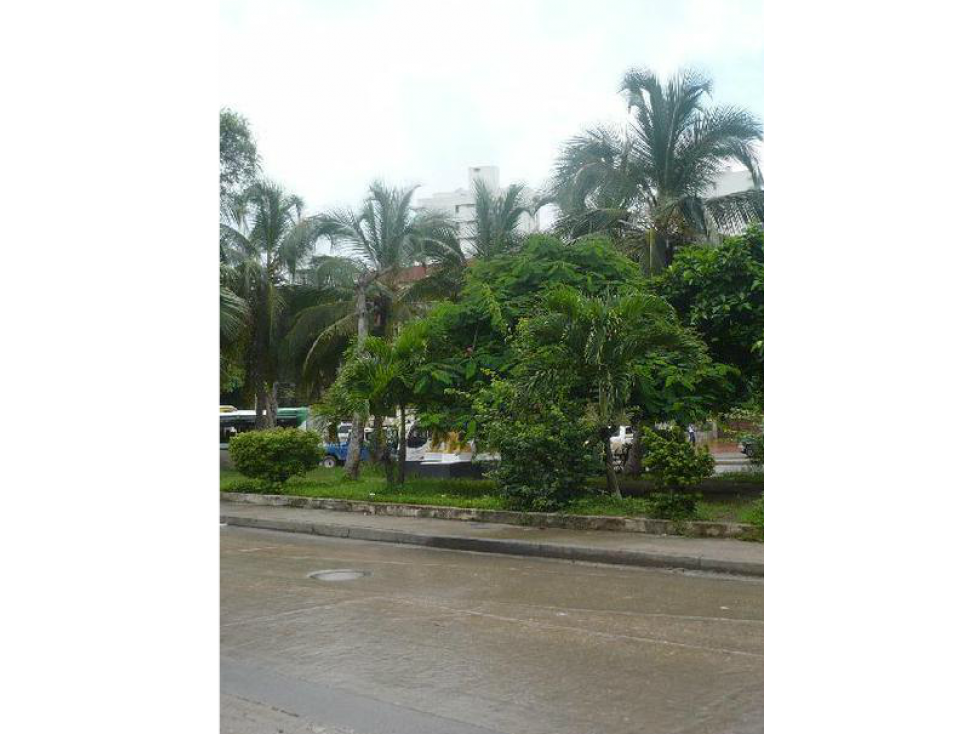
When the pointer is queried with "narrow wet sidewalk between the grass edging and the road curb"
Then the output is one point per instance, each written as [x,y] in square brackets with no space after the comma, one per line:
[629,549]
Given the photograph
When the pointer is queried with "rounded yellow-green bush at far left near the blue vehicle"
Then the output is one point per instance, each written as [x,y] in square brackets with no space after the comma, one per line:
[274,455]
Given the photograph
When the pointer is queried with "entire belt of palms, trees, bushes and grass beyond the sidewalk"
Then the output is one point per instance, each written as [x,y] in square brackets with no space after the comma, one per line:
[643,306]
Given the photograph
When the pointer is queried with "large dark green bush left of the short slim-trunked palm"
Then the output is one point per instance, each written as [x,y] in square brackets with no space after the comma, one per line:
[544,463]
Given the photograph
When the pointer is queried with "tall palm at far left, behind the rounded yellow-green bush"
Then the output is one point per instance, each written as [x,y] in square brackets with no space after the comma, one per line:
[264,240]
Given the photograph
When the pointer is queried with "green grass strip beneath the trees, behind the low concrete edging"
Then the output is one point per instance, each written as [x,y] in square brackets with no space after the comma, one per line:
[474,493]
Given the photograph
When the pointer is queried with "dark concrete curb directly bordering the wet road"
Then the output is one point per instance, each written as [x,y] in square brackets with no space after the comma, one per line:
[505,547]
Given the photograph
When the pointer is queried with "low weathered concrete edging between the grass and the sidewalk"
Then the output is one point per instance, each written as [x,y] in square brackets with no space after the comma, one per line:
[527,519]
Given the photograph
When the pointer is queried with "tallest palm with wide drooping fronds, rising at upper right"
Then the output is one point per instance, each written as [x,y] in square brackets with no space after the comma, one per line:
[648,185]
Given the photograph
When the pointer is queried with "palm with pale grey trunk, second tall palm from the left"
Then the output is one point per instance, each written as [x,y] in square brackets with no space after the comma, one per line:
[389,236]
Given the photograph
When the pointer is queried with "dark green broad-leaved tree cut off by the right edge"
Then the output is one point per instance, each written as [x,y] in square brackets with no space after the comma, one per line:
[720,293]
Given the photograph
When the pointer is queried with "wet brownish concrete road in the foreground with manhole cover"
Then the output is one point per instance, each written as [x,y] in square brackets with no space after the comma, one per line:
[444,642]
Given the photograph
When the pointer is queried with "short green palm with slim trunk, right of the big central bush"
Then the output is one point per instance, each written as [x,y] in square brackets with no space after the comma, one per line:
[602,341]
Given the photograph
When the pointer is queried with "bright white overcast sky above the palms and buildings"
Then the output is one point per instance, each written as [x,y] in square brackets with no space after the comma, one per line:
[339,92]
